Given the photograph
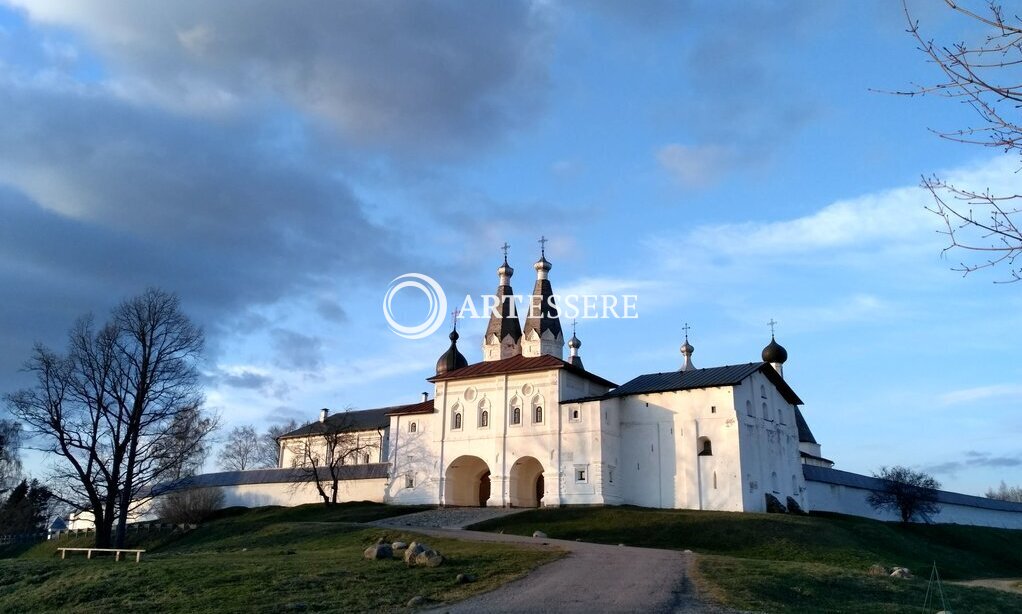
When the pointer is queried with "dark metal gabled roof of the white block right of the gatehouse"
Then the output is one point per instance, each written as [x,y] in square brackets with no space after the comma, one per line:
[704,379]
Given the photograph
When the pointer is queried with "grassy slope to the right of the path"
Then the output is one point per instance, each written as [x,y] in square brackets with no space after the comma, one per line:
[781,563]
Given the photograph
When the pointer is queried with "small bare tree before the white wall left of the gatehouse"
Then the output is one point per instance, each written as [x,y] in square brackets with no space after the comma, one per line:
[323,450]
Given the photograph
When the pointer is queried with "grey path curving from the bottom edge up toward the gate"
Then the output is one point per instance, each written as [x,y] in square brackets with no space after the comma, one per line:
[593,578]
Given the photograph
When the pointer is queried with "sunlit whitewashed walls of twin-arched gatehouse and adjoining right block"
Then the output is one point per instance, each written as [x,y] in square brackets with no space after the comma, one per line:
[492,438]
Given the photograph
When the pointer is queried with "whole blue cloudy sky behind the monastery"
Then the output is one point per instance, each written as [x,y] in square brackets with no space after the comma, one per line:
[278,164]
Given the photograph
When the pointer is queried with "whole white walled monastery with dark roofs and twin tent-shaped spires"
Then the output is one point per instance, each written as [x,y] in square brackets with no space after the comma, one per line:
[526,428]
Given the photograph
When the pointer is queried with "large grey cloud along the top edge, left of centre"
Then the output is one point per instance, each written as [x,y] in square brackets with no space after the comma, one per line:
[436,76]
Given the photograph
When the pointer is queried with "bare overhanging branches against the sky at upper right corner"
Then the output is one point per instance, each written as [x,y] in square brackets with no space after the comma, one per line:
[984,75]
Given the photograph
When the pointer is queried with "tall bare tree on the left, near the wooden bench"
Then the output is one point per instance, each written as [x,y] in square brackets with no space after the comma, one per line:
[111,408]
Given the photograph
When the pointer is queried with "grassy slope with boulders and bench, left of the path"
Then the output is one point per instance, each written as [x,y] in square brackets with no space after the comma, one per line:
[264,560]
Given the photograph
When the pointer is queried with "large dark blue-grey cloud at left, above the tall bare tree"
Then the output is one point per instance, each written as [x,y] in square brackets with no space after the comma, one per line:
[102,199]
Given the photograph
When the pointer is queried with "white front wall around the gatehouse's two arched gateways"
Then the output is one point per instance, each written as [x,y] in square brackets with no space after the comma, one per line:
[504,446]
